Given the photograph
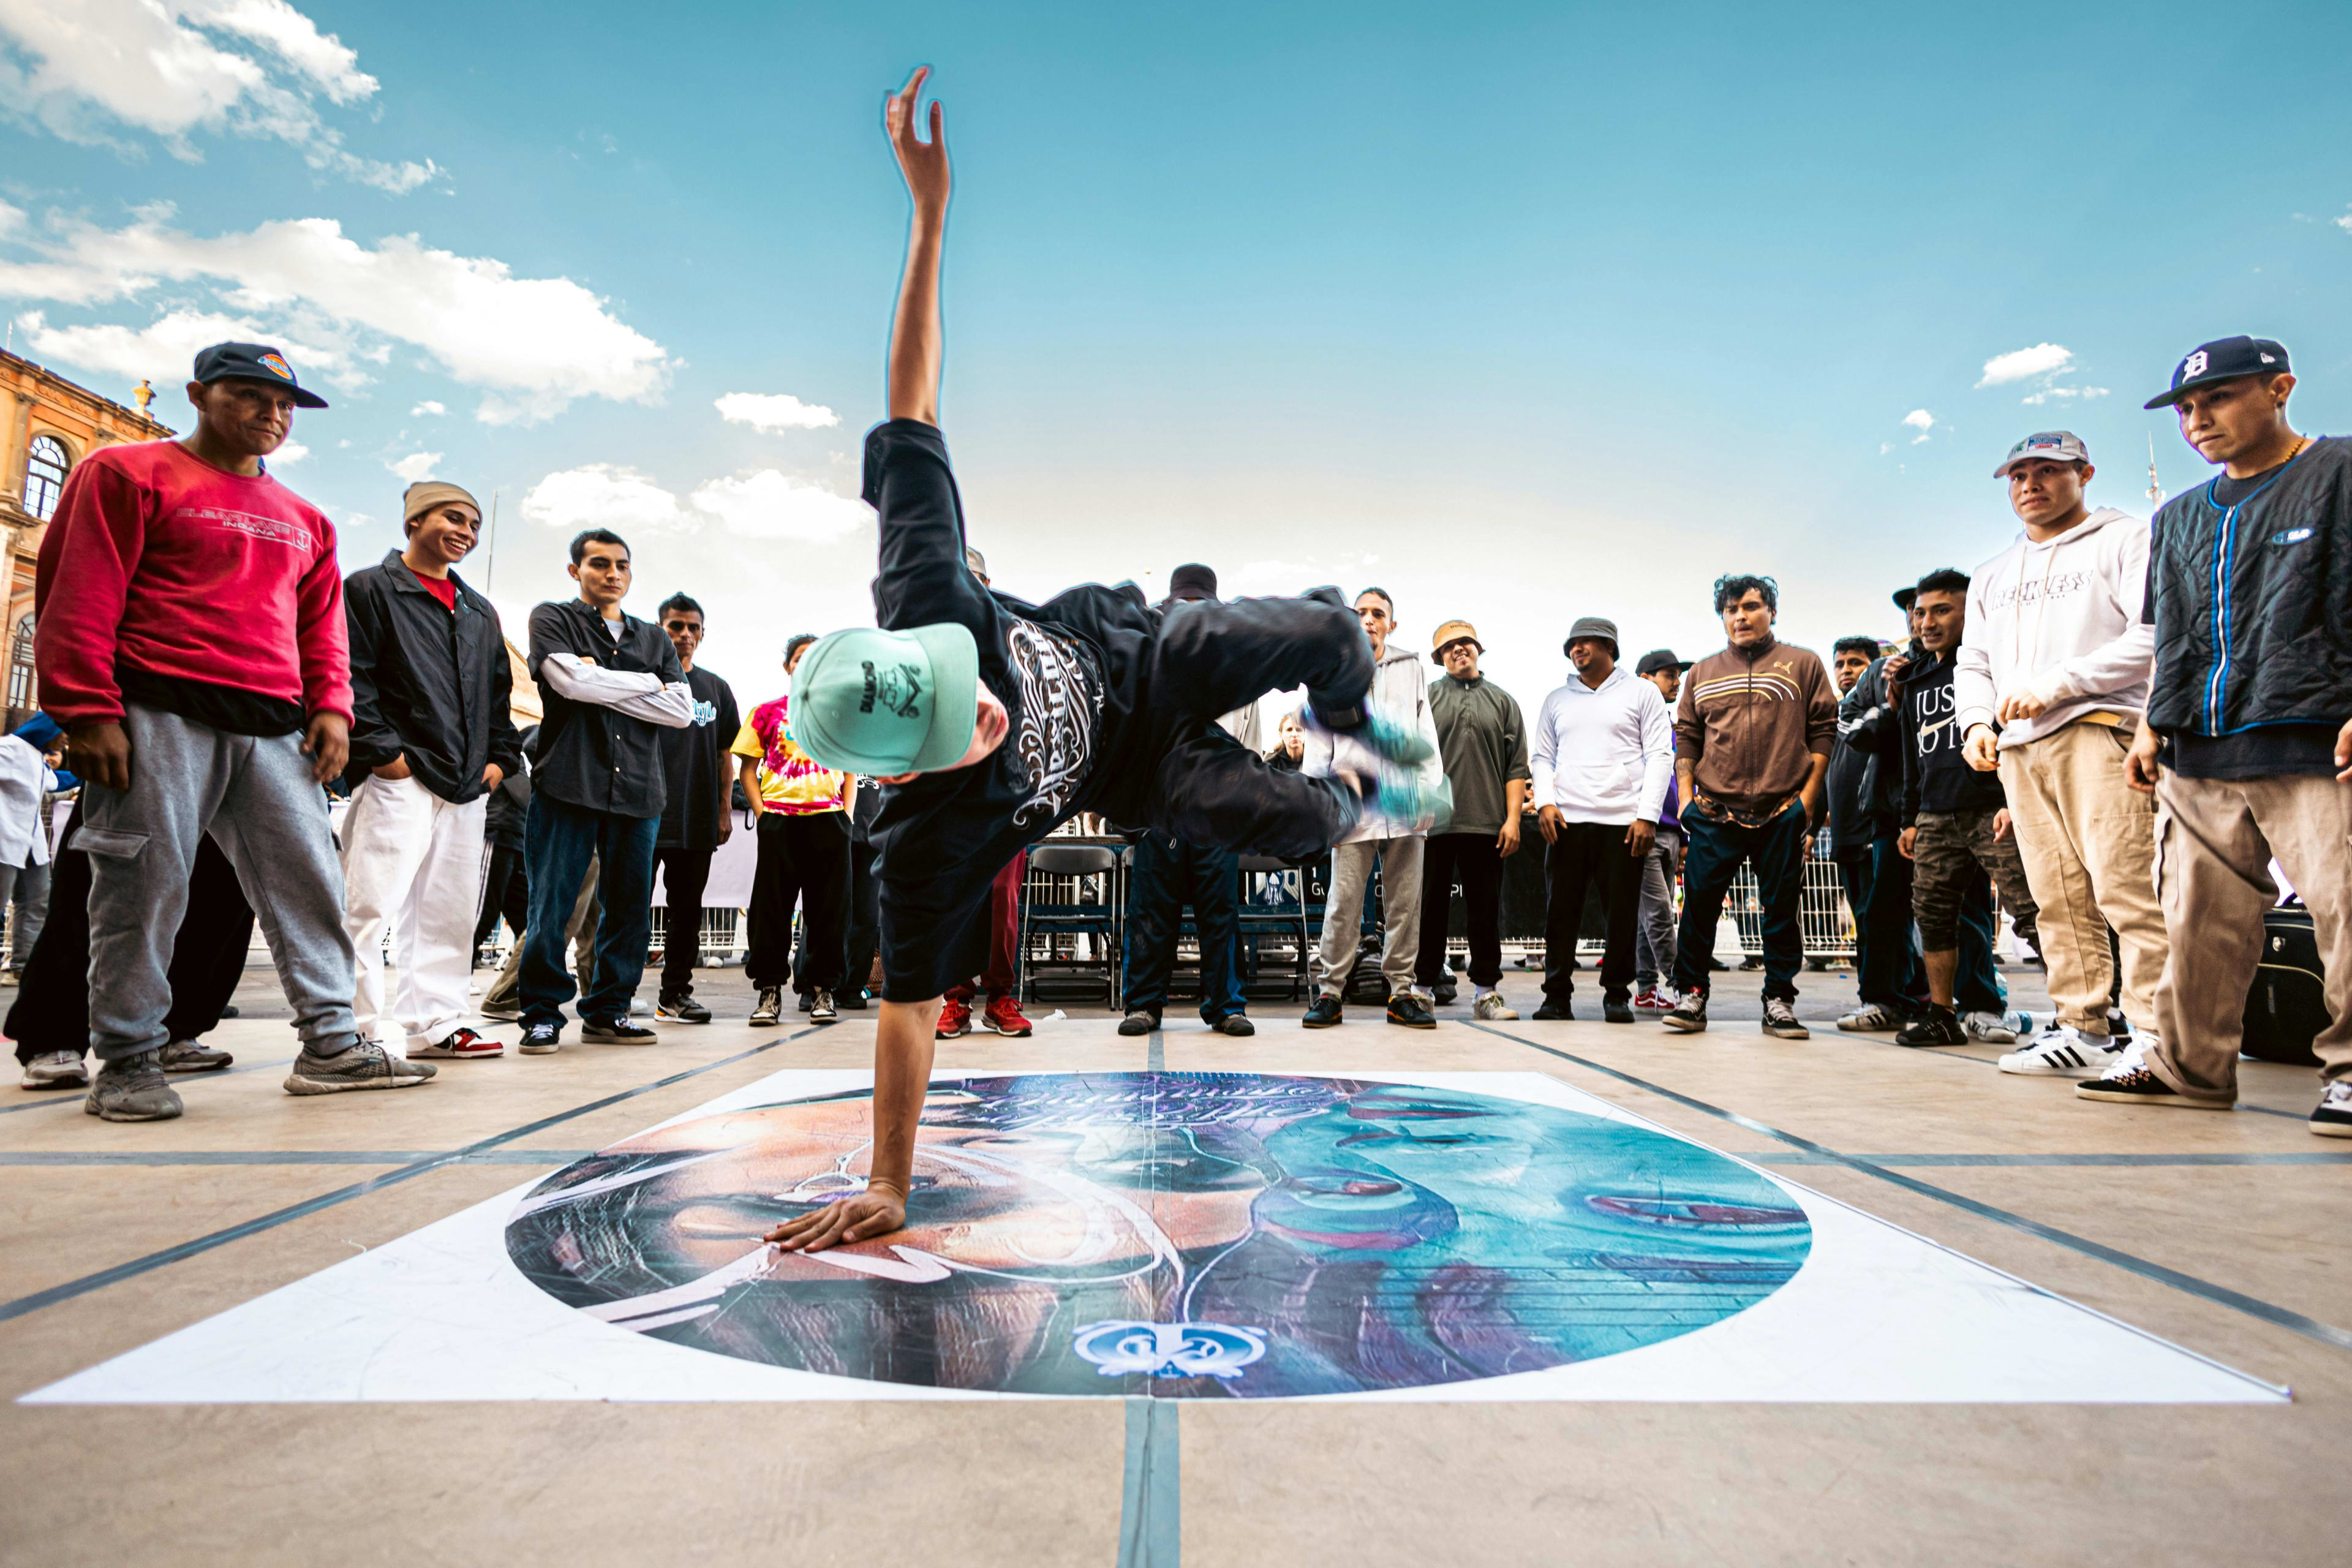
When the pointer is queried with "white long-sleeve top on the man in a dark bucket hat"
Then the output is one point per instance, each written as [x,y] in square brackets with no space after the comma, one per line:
[1603,753]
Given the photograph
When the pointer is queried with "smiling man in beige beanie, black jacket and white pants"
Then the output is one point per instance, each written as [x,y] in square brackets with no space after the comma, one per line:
[432,737]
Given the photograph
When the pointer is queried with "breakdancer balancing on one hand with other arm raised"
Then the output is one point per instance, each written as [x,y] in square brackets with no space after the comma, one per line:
[994,721]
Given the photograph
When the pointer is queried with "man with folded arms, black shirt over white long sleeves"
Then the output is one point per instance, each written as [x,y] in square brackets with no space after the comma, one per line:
[610,685]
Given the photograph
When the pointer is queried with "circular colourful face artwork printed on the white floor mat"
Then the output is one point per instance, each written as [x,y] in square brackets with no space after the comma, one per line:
[1220,1235]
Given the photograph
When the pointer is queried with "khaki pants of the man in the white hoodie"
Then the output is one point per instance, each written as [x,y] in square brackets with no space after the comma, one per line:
[2090,847]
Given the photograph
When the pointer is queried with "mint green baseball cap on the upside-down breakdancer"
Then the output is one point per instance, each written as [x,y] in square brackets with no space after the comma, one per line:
[869,702]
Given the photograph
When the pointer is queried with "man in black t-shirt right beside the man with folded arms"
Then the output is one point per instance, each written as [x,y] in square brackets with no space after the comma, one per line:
[697,815]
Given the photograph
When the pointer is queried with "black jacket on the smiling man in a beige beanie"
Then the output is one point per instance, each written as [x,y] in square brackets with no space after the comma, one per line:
[427,683]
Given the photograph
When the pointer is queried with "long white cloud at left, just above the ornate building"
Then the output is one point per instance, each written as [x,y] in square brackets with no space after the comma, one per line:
[533,344]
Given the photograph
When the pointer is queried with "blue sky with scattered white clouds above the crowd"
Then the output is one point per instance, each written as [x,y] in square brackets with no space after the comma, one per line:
[1518,311]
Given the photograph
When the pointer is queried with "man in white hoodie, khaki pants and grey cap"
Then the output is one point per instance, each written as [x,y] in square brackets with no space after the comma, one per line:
[2050,690]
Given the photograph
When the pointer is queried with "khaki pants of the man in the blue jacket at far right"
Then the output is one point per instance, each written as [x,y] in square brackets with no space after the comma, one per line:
[2214,847]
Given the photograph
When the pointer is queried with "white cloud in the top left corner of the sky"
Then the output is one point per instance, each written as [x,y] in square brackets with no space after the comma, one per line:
[86,69]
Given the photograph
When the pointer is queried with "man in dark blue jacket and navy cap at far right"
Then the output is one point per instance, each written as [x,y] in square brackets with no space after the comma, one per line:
[2250,725]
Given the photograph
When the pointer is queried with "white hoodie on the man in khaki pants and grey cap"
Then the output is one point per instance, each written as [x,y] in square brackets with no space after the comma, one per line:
[2059,619]
